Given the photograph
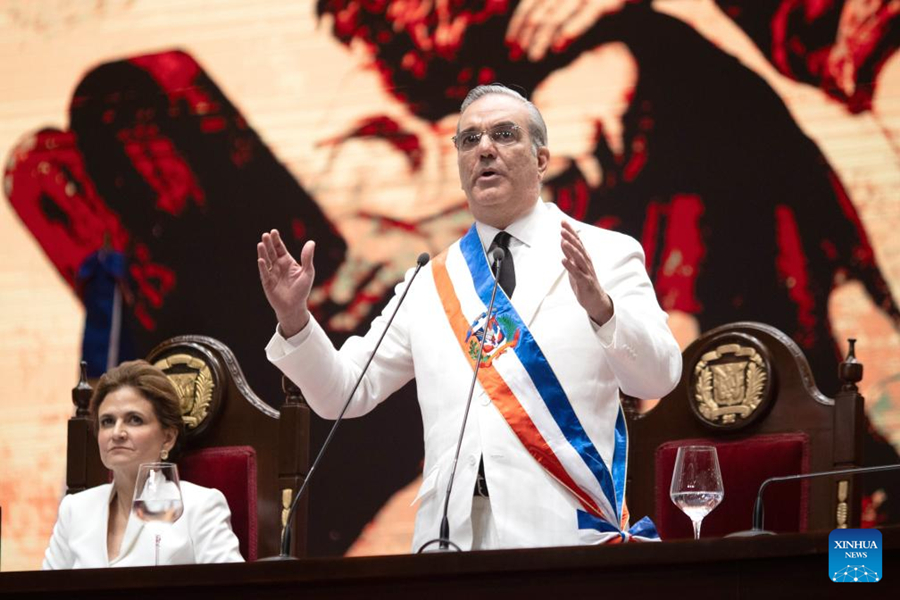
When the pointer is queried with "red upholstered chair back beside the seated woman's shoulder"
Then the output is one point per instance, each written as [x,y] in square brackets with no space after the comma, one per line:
[232,471]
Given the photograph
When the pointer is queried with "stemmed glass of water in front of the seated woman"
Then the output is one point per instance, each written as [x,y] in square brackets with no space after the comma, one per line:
[157,496]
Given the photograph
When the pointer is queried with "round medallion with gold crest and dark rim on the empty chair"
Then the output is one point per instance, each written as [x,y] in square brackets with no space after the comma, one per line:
[731,382]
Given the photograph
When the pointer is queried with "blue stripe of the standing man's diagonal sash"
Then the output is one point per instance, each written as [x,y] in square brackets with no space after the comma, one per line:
[541,373]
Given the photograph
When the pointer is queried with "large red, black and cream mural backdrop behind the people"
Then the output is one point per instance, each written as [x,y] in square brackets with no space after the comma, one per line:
[753,147]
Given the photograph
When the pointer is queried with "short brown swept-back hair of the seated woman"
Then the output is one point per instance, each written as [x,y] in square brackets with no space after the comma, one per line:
[153,385]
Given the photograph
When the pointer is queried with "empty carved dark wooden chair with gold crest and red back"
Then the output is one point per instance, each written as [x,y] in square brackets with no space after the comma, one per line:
[747,389]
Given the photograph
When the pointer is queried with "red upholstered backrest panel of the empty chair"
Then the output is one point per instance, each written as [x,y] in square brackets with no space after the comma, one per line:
[745,464]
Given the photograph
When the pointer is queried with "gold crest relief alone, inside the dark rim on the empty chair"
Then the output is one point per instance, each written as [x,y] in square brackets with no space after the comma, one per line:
[729,384]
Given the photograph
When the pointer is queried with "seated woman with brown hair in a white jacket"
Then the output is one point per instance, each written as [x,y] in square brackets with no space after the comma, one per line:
[136,414]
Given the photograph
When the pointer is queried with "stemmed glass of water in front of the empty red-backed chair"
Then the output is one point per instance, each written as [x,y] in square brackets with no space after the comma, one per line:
[697,483]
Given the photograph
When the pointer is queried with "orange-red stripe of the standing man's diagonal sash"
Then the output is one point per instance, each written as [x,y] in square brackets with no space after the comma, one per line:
[503,397]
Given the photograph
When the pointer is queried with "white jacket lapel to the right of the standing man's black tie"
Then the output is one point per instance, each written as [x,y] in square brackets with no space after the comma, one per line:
[543,268]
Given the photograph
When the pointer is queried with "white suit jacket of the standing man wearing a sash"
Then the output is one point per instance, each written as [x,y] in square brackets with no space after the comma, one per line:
[634,351]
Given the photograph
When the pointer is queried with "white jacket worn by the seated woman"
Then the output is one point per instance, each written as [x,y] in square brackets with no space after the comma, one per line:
[202,535]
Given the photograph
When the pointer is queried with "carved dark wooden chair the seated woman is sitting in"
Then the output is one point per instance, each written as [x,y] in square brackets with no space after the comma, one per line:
[256,455]
